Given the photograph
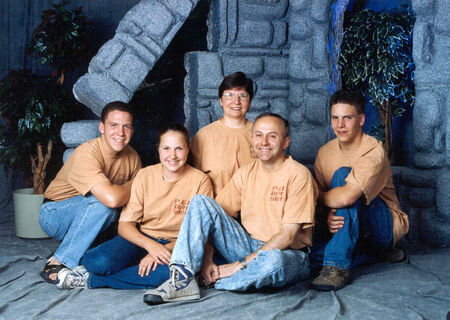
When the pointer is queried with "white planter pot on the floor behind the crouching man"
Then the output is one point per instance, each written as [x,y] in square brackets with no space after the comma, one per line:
[26,214]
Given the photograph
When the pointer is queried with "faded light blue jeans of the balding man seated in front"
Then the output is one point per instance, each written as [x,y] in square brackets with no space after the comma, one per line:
[204,220]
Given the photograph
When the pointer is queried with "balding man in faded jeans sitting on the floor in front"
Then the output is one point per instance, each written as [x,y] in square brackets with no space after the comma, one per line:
[276,197]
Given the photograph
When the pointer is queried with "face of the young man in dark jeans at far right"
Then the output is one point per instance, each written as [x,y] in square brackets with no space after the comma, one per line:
[347,124]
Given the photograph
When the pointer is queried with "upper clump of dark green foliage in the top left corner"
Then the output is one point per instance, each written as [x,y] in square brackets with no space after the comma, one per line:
[61,38]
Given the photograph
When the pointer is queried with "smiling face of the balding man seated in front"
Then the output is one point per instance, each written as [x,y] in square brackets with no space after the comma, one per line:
[269,141]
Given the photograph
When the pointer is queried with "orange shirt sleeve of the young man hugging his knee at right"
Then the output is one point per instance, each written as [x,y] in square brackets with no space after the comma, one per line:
[370,173]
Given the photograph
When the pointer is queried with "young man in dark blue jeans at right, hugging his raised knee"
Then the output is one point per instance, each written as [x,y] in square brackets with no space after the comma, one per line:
[355,181]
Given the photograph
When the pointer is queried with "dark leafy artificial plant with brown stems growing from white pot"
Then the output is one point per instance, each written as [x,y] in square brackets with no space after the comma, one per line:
[34,109]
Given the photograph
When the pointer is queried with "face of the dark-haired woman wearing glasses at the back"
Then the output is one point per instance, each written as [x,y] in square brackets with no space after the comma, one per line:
[235,103]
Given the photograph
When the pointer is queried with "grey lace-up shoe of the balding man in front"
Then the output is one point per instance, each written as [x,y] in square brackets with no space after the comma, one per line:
[179,287]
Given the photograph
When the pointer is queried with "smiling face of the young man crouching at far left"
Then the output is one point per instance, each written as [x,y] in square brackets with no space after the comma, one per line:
[117,129]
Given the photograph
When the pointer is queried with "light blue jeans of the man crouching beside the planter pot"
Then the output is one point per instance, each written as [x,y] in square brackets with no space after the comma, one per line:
[76,222]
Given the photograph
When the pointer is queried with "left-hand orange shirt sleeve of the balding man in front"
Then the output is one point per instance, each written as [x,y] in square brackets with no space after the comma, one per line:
[230,196]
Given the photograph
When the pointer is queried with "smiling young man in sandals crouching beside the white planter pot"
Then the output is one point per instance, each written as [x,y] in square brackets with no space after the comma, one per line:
[83,198]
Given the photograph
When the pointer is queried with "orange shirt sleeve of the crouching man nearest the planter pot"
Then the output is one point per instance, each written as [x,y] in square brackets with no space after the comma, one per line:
[86,173]
